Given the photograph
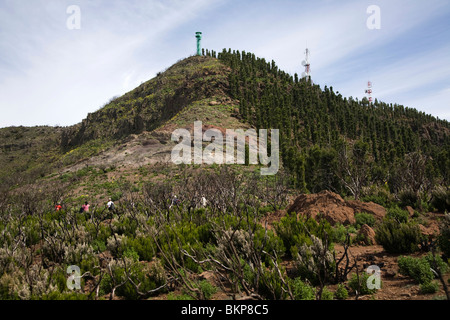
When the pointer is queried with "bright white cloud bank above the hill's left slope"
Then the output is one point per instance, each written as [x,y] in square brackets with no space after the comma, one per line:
[53,75]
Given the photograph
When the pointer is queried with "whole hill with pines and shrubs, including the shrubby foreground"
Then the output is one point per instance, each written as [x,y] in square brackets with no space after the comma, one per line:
[361,186]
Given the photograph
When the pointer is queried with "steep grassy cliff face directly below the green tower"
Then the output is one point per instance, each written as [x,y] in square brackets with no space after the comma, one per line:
[153,103]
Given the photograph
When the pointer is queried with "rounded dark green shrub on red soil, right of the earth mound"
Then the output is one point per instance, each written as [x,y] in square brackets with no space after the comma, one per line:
[398,237]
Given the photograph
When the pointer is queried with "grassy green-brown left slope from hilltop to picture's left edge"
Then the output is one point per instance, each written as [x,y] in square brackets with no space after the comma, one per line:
[27,154]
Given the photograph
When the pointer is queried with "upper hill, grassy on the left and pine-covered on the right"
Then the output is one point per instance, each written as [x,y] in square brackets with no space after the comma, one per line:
[239,90]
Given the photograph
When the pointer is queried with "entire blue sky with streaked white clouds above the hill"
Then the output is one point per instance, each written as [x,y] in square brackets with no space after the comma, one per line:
[51,75]
